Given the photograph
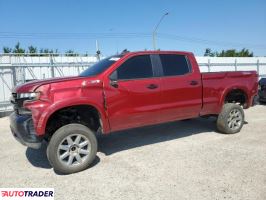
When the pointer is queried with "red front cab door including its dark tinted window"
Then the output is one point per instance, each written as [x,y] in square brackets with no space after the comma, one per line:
[132,94]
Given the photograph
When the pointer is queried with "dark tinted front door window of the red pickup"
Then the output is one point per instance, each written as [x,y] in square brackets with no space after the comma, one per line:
[136,67]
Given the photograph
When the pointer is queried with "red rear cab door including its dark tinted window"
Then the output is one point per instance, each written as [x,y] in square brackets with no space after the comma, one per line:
[180,87]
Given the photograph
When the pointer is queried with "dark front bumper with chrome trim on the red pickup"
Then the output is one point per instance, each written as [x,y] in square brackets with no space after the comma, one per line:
[22,129]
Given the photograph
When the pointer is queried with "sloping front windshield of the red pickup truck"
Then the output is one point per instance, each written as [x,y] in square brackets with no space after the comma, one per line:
[100,66]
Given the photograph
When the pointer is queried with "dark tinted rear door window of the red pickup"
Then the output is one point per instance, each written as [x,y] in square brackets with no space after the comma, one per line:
[174,64]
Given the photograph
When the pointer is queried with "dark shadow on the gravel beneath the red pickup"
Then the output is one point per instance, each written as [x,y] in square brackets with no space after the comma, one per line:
[129,139]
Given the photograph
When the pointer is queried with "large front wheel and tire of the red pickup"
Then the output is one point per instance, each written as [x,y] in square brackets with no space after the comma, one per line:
[72,148]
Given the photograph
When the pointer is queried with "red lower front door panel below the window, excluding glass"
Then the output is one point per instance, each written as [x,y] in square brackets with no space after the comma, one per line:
[132,104]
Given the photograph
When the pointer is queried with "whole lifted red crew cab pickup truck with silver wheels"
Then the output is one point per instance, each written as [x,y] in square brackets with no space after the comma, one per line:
[120,92]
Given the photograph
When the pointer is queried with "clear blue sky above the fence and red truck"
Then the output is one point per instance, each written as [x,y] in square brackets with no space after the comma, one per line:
[116,25]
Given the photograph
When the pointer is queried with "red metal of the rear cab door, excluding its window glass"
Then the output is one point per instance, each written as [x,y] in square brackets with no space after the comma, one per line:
[180,99]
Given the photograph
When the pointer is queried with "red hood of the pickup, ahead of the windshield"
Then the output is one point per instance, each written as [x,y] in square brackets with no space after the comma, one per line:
[32,85]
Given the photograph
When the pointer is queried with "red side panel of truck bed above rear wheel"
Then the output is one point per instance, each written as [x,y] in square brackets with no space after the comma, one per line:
[214,88]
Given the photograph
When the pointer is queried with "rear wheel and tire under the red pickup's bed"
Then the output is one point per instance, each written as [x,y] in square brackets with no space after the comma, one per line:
[231,119]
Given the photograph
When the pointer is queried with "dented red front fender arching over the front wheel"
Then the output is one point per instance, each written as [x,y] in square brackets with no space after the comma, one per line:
[79,91]
